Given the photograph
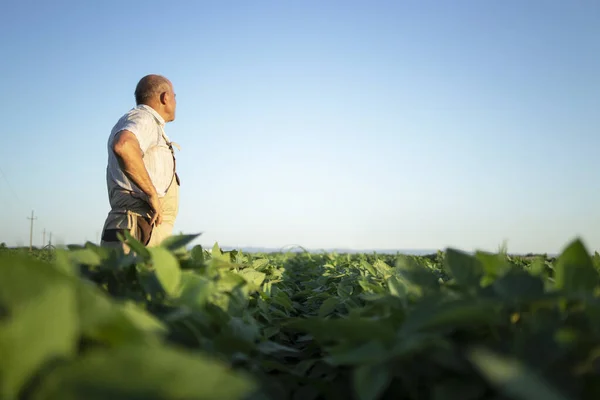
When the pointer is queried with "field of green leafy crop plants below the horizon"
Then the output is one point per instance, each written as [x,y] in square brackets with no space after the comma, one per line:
[168,323]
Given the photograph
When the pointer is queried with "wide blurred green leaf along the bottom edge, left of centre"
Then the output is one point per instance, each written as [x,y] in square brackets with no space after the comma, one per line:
[129,372]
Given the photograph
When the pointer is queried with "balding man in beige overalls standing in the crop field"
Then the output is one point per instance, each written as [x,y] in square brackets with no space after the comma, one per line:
[142,183]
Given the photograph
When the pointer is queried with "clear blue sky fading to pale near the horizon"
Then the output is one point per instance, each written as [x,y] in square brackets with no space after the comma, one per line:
[372,124]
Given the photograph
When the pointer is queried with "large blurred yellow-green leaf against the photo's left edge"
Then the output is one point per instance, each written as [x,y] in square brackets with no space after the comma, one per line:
[39,322]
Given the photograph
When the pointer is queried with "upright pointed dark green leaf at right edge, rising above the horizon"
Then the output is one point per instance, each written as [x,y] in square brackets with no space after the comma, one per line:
[574,270]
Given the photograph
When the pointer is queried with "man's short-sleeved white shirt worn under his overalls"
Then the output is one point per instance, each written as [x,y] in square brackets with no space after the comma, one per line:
[148,127]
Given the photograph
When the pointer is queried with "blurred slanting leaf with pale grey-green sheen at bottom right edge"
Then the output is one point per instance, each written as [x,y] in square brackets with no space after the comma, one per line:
[512,377]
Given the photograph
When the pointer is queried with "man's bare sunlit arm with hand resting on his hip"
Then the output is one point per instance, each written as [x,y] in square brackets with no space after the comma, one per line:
[129,154]
